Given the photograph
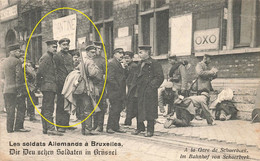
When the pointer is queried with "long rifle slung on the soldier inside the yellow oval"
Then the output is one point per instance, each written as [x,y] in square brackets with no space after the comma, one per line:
[86,87]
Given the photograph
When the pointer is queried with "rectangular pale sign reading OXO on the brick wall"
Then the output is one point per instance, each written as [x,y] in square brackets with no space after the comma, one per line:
[206,39]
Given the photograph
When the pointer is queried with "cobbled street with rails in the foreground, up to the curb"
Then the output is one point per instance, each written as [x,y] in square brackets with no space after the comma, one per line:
[163,146]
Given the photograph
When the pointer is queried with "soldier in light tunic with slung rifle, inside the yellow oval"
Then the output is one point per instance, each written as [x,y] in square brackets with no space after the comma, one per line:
[86,92]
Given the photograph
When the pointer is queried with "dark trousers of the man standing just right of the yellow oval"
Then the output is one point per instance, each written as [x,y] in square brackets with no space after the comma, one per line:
[114,114]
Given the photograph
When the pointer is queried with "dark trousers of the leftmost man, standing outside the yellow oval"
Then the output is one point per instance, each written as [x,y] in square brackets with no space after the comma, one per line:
[12,117]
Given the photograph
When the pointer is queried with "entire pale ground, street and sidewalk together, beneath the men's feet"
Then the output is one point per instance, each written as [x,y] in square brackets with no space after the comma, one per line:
[166,145]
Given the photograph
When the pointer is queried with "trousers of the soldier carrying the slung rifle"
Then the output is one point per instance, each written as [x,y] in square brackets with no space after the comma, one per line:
[83,102]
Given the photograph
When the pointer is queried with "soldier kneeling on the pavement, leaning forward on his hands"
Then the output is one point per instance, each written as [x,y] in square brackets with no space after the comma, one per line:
[185,110]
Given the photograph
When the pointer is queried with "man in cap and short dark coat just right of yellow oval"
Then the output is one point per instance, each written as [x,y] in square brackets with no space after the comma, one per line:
[116,90]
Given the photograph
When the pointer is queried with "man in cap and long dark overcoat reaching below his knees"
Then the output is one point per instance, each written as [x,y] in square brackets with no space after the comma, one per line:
[149,78]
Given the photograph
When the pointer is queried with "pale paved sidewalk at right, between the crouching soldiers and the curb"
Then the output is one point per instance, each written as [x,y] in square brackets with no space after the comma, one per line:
[232,131]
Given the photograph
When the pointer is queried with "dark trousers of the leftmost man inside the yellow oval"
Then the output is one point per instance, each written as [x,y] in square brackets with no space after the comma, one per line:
[47,110]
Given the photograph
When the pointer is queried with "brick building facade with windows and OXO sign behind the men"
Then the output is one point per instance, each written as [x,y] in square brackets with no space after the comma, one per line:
[229,30]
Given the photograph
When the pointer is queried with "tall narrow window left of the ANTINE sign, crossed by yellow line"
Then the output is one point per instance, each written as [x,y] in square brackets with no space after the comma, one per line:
[31,18]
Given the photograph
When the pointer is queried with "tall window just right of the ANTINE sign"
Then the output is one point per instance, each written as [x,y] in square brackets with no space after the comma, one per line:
[103,17]
